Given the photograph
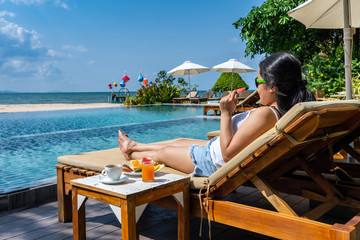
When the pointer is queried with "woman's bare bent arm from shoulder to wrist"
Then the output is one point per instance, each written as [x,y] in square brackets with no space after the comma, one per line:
[258,122]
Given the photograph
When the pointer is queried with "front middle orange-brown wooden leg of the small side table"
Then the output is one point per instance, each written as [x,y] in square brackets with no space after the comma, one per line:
[128,220]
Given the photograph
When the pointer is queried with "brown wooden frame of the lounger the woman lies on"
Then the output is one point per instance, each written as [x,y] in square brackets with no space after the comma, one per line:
[297,161]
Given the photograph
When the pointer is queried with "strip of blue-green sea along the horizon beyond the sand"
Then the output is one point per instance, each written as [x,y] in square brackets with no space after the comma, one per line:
[59,97]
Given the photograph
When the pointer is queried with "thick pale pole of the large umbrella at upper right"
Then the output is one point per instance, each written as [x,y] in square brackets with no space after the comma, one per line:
[347,51]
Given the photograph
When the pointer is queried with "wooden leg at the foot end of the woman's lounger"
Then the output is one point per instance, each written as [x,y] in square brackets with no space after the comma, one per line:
[64,201]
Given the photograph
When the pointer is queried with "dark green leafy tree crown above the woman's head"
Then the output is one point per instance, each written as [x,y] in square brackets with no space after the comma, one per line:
[268,29]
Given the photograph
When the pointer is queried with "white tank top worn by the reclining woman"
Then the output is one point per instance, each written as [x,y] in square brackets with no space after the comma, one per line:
[236,121]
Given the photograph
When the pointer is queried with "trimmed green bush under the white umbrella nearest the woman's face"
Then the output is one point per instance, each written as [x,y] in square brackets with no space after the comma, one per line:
[224,82]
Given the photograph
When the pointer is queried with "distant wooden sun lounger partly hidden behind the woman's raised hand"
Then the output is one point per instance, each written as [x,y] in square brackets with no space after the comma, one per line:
[247,104]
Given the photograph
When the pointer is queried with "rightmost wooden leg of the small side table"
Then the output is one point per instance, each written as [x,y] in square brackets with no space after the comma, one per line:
[184,215]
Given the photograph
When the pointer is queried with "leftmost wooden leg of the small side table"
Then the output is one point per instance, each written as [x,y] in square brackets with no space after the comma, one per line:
[79,231]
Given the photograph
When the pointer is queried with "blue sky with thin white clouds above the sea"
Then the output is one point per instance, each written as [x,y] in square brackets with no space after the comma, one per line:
[79,46]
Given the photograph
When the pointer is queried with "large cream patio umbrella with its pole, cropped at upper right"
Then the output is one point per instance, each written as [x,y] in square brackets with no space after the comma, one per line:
[332,14]
